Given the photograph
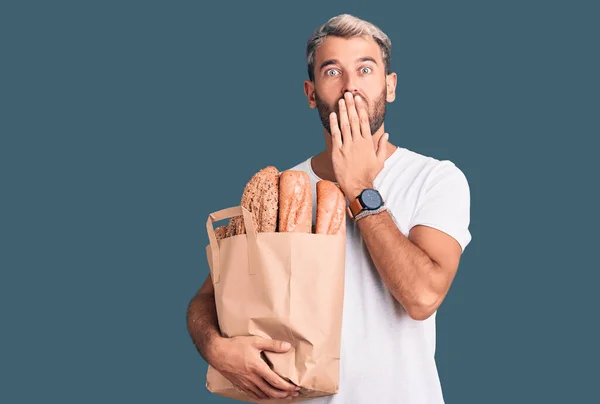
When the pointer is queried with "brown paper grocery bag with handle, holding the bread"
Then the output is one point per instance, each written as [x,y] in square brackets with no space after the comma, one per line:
[283,286]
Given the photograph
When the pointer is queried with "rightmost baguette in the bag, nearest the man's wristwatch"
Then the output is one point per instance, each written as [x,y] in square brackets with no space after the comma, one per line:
[331,209]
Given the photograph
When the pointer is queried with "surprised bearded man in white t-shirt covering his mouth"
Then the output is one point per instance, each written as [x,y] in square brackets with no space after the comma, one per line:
[407,229]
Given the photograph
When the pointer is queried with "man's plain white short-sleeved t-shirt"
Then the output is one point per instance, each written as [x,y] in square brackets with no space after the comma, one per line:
[387,357]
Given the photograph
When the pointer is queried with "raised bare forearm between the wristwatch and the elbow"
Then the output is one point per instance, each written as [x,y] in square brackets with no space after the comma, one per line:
[408,272]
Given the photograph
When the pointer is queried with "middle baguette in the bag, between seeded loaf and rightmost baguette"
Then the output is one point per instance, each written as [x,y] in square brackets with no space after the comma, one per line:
[295,202]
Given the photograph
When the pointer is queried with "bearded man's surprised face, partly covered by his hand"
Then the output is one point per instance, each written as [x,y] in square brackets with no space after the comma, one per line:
[354,65]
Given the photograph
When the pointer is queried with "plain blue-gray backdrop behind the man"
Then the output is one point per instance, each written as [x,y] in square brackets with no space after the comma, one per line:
[124,124]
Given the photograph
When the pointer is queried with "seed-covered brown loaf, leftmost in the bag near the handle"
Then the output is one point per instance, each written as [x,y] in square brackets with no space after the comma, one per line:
[260,197]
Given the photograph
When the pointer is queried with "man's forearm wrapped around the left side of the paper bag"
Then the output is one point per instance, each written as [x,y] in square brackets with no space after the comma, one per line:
[203,325]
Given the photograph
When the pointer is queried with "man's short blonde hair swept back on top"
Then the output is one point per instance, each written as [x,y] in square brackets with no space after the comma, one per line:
[346,26]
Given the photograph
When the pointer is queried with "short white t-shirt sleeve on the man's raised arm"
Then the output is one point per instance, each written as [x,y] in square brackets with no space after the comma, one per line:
[444,203]
